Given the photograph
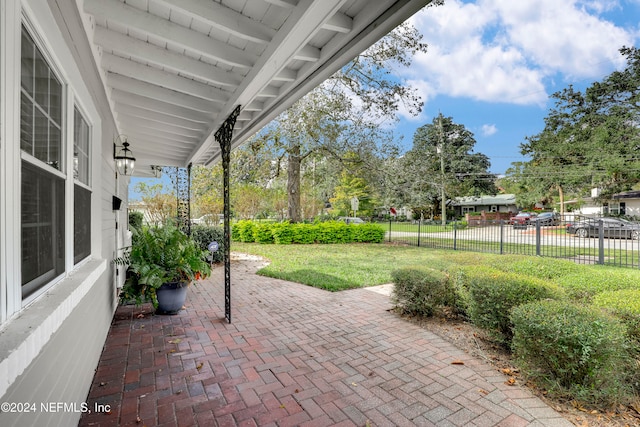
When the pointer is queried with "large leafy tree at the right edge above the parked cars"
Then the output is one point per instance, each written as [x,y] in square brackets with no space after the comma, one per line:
[590,139]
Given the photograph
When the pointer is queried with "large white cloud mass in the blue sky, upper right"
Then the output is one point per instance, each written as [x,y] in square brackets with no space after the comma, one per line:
[505,50]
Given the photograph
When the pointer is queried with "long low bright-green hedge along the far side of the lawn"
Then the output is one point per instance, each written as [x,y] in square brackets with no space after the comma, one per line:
[285,233]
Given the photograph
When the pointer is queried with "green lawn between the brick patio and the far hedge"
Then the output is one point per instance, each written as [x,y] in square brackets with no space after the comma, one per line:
[348,266]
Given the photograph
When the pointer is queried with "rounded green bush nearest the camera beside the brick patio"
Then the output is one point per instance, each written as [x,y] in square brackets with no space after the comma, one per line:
[573,351]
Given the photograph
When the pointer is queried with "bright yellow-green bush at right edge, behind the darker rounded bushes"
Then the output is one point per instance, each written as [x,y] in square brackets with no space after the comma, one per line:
[592,280]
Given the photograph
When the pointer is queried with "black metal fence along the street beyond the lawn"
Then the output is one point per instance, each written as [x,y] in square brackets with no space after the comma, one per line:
[582,239]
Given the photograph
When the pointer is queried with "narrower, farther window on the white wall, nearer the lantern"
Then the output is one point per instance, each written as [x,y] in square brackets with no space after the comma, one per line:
[82,194]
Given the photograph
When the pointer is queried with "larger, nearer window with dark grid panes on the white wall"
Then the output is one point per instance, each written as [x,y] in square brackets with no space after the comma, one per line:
[43,195]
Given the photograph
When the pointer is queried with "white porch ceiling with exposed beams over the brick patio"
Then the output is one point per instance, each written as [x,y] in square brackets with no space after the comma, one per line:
[174,70]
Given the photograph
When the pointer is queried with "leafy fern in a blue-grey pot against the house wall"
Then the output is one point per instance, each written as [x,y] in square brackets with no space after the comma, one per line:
[162,262]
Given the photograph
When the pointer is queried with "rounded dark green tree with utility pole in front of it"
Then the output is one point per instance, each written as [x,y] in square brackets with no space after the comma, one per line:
[442,161]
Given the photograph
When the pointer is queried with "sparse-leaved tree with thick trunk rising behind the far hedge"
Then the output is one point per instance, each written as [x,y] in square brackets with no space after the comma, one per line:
[344,114]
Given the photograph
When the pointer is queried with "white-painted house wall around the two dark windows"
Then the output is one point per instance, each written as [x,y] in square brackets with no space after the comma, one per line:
[50,345]
